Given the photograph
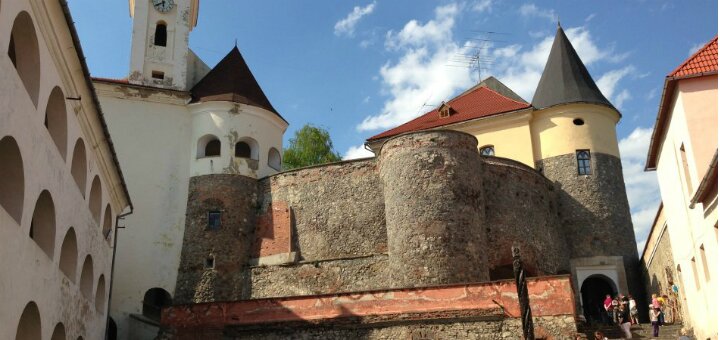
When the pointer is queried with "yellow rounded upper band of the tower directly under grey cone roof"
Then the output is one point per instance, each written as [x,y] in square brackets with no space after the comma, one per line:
[554,134]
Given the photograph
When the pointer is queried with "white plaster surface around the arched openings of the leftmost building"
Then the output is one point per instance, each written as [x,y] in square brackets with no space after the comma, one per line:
[28,273]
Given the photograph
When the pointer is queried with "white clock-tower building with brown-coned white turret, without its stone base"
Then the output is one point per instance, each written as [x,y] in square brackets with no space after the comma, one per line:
[174,118]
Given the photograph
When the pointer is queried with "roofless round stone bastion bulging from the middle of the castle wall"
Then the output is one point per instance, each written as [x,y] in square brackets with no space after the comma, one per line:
[433,209]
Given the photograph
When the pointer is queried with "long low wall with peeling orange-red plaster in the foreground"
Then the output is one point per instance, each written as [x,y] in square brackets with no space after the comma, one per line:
[480,309]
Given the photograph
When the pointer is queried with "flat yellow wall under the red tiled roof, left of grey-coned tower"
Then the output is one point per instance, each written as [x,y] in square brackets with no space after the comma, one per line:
[509,134]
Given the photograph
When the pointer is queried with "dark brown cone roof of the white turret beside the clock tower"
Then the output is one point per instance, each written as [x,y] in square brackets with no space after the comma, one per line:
[231,80]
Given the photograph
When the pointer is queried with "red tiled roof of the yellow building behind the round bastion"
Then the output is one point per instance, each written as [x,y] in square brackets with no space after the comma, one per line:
[479,102]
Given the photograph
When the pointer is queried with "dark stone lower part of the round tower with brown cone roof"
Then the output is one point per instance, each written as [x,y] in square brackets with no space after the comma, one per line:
[236,197]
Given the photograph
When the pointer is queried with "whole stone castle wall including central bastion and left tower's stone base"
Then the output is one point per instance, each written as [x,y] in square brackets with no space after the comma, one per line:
[429,210]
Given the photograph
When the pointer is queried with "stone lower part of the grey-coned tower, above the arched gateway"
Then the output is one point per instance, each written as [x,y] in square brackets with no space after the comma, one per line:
[595,211]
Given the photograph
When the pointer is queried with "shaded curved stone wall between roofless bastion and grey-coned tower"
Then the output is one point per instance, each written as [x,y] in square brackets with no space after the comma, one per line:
[523,210]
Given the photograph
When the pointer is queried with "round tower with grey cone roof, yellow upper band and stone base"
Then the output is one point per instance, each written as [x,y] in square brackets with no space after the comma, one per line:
[575,145]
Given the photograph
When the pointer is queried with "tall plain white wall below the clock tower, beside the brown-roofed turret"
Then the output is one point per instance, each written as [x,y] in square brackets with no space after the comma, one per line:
[151,131]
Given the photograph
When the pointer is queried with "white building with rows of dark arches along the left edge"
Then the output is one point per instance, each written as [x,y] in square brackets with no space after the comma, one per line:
[61,188]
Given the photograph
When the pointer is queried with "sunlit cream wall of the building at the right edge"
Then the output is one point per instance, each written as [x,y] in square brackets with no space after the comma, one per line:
[687,227]
